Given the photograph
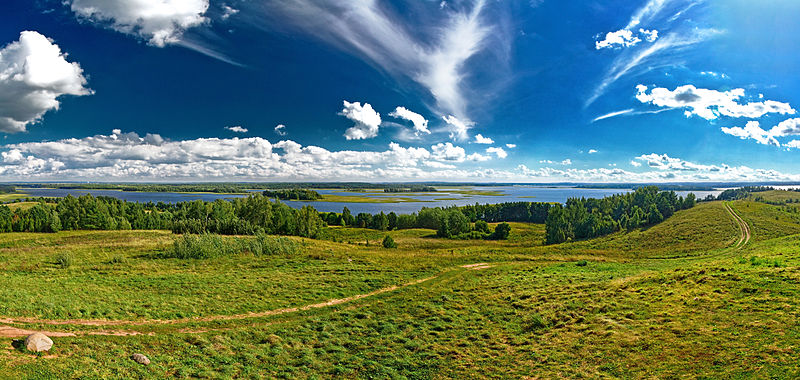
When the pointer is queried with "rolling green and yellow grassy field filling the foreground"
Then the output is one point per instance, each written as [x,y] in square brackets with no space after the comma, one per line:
[675,300]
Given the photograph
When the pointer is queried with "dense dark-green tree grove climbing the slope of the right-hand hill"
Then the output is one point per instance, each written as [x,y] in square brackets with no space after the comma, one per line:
[584,218]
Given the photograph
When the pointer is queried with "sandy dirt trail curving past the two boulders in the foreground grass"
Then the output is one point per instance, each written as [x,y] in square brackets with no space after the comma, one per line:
[12,332]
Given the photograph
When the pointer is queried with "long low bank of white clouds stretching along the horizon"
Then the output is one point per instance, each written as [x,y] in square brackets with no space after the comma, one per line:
[128,156]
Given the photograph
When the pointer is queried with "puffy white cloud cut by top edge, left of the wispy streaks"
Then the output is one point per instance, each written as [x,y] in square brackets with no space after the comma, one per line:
[160,22]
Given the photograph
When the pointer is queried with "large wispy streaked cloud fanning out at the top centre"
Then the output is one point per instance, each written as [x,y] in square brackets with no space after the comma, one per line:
[435,57]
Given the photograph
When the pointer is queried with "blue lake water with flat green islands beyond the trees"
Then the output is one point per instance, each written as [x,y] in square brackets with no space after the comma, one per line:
[510,194]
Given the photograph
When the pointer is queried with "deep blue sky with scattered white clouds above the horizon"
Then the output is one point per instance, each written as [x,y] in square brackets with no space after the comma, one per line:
[419,90]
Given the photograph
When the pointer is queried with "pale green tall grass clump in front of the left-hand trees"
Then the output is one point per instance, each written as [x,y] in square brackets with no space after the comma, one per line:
[205,246]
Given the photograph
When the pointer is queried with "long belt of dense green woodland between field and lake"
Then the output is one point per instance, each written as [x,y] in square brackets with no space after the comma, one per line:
[258,214]
